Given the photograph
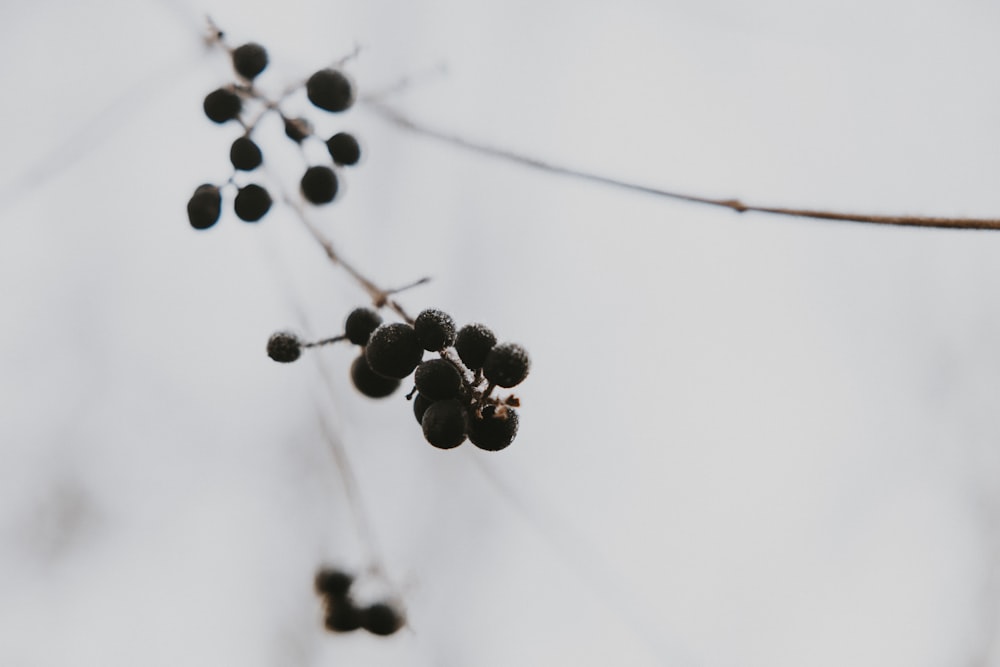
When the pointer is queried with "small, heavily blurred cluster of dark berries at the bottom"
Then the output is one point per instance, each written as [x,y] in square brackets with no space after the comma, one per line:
[342,614]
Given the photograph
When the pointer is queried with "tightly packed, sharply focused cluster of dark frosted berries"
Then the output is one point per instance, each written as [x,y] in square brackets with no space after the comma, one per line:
[453,398]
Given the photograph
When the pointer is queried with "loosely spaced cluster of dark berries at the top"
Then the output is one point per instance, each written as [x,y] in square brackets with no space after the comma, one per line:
[328,89]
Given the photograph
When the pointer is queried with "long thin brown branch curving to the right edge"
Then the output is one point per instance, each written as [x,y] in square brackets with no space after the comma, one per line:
[397,118]
